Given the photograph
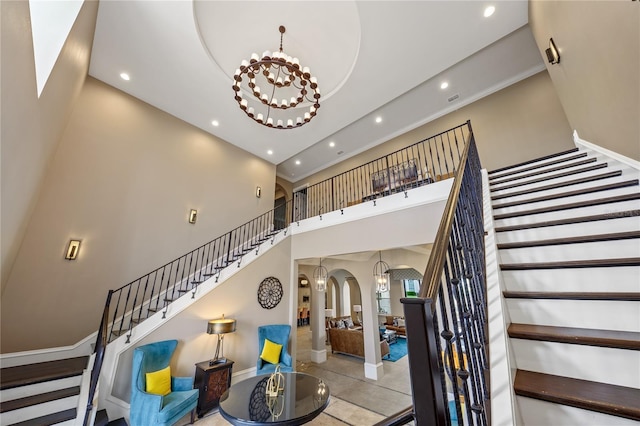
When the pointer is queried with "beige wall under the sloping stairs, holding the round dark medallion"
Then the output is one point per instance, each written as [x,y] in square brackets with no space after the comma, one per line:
[189,327]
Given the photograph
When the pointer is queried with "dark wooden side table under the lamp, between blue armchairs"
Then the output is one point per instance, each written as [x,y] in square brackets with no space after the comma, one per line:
[212,381]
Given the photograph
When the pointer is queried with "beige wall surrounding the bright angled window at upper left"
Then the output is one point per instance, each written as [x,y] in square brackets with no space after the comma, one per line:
[31,126]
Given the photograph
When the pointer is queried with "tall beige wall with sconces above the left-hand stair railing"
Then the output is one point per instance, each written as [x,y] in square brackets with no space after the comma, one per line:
[123,179]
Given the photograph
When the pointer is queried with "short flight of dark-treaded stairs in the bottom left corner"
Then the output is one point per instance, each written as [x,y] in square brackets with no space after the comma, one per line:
[43,393]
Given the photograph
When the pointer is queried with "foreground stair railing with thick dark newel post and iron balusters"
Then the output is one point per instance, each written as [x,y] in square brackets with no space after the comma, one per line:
[446,324]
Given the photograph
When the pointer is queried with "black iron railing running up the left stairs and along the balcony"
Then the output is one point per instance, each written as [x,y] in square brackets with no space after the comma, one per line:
[424,162]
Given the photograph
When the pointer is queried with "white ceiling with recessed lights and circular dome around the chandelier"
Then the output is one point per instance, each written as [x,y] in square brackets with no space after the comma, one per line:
[371,58]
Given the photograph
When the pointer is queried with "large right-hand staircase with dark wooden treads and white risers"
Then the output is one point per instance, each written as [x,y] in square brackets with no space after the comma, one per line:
[568,237]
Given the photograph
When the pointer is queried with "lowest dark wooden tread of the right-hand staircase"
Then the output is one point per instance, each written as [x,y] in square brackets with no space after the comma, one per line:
[601,397]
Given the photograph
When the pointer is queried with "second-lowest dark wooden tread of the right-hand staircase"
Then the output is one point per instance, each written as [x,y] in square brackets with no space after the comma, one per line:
[577,336]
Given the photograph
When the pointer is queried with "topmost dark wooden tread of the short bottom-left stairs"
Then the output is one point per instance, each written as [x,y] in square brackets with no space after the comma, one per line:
[22,375]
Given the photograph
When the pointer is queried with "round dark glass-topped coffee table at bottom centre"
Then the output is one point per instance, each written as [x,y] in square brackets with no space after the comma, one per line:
[302,398]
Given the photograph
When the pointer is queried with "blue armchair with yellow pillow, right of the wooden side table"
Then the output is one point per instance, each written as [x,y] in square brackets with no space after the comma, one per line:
[269,338]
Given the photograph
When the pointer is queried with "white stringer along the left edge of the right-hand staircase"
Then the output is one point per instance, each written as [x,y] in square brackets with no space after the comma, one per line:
[502,371]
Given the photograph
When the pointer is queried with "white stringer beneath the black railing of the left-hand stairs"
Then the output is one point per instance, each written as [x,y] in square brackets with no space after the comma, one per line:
[116,407]
